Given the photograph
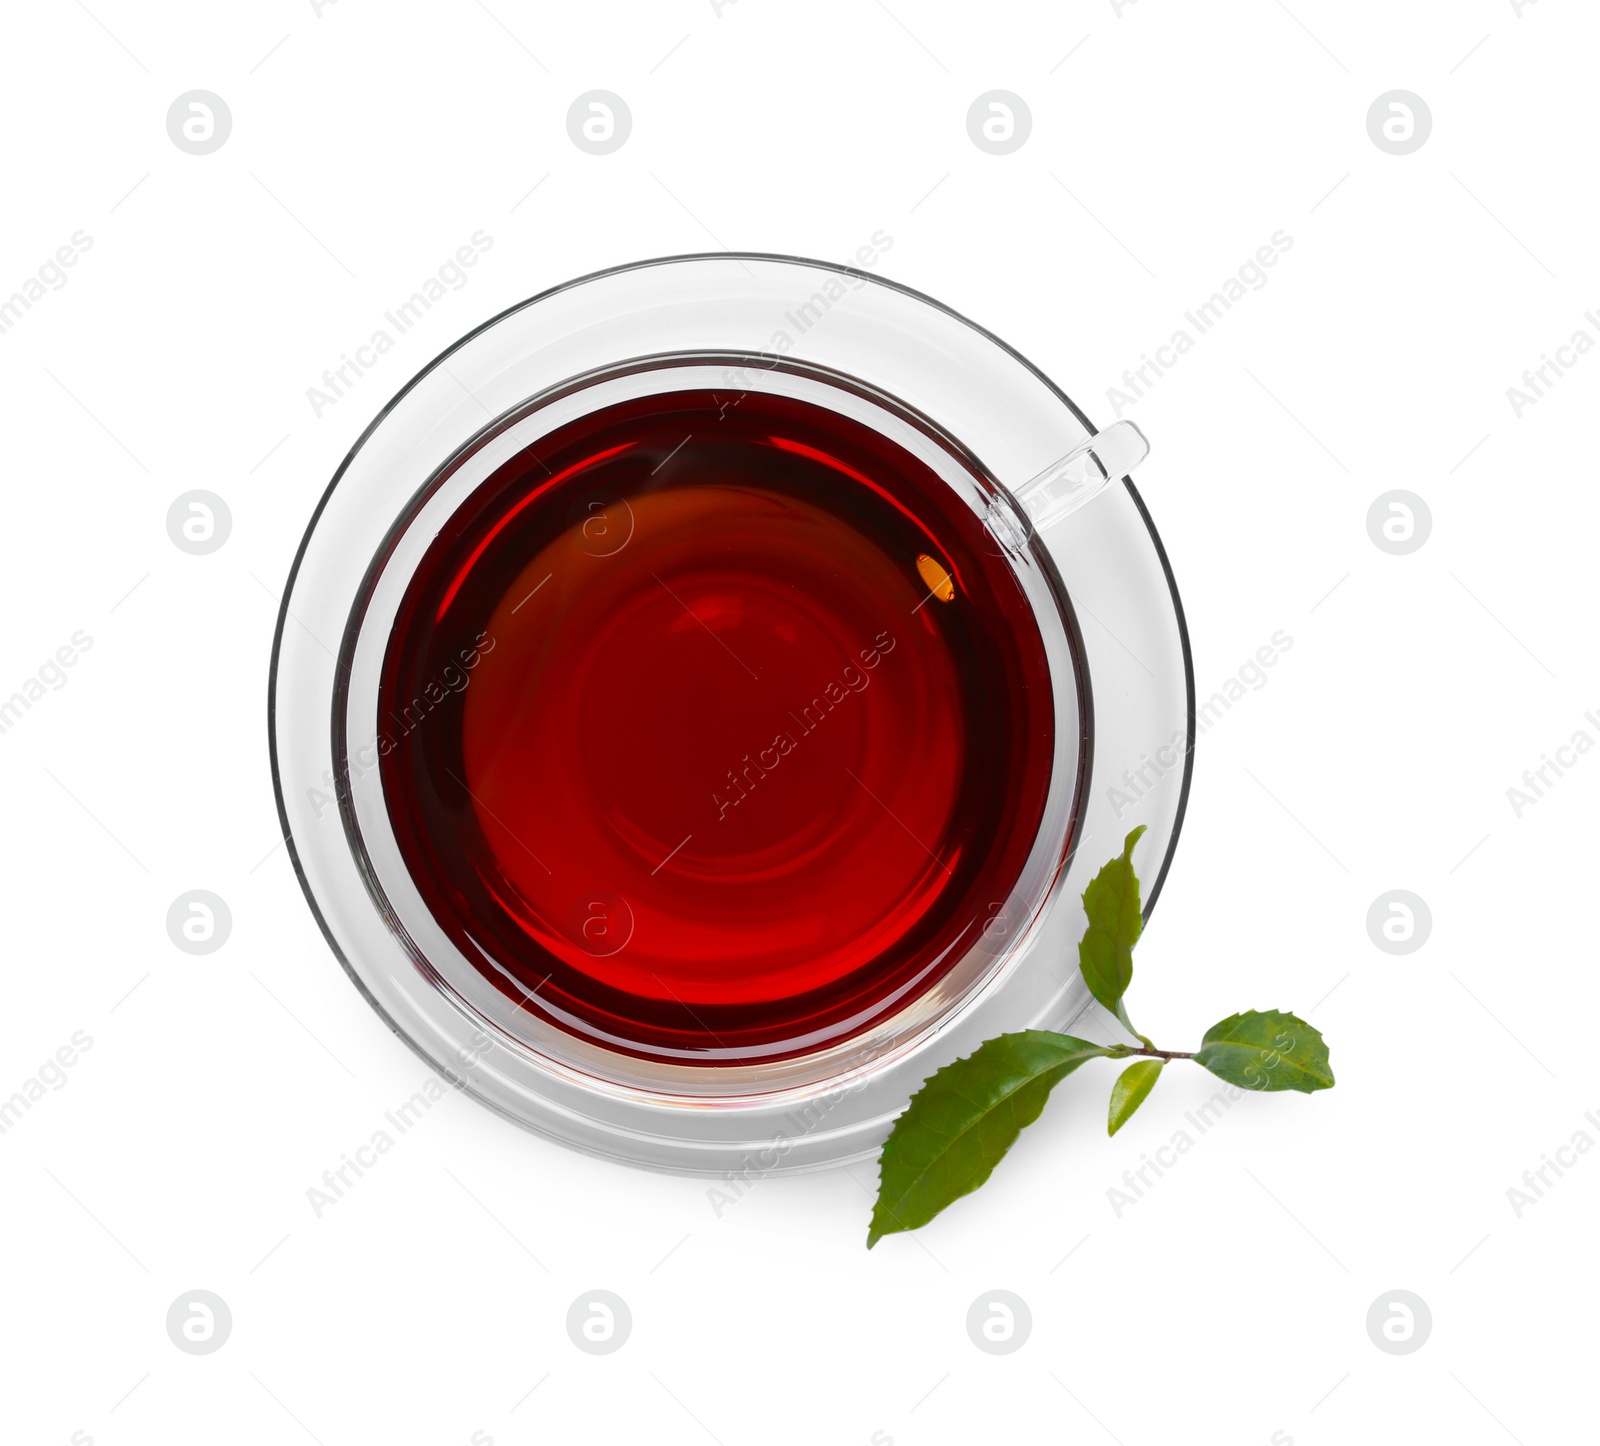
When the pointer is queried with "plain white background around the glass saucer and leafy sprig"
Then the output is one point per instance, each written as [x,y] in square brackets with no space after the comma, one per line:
[1169,143]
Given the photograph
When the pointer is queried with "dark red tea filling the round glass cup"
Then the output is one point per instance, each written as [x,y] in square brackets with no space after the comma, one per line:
[721,729]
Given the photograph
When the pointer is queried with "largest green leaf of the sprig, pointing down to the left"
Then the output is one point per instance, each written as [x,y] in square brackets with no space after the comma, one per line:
[964,1120]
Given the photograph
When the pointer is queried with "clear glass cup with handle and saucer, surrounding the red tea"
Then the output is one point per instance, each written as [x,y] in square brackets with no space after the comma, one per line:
[1073,532]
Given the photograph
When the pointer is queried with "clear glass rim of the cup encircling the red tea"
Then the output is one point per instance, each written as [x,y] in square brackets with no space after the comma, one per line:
[364,805]
